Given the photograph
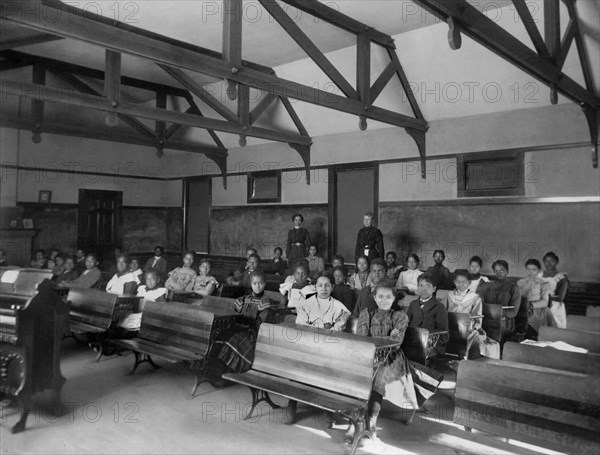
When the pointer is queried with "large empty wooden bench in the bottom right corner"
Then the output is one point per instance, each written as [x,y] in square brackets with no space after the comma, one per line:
[552,408]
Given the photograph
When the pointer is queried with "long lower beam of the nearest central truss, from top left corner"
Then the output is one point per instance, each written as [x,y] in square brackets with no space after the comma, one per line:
[96,30]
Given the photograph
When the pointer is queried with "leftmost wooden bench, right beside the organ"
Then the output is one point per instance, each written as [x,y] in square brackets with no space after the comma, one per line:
[96,312]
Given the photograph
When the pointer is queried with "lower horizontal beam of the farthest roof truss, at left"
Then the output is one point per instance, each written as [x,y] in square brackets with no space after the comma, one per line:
[110,135]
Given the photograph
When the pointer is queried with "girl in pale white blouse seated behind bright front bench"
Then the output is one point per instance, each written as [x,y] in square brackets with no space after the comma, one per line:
[321,310]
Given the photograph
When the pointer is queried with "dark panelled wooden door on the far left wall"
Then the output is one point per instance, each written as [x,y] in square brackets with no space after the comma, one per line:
[99,221]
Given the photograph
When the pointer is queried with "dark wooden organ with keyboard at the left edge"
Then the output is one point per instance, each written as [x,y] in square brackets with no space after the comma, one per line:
[31,320]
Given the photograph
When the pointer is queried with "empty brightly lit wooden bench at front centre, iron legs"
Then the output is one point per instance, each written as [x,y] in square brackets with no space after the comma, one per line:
[315,367]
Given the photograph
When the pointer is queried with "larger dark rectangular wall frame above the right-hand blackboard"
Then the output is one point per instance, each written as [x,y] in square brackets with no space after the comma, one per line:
[463,161]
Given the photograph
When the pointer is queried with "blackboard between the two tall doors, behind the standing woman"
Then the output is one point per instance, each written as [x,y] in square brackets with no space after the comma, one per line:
[232,229]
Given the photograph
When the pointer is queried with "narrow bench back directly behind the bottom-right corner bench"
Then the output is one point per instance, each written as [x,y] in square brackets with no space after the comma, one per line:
[552,358]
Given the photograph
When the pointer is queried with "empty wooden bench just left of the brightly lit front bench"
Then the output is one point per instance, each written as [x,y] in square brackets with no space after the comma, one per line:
[178,332]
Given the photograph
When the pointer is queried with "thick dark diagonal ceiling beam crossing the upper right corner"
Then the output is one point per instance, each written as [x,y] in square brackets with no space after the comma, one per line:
[486,32]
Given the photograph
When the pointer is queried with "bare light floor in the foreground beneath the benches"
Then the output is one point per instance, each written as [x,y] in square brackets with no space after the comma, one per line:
[152,412]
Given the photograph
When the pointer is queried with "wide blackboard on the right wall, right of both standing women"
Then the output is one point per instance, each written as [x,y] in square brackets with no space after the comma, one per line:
[510,231]
